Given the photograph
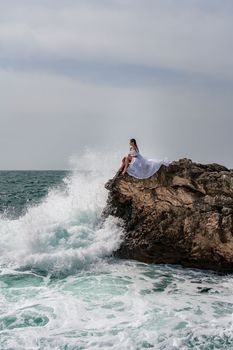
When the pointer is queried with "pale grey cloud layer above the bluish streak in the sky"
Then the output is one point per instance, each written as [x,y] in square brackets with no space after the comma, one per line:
[183,37]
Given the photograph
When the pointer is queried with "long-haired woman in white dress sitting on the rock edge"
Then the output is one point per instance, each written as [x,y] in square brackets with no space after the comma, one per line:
[138,166]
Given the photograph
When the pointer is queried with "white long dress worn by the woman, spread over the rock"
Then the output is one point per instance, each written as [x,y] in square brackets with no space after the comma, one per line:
[143,168]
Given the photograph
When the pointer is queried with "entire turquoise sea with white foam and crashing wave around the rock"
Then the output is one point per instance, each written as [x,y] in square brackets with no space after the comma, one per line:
[60,287]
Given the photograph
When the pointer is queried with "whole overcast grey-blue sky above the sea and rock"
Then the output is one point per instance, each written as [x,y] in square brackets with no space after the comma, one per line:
[77,75]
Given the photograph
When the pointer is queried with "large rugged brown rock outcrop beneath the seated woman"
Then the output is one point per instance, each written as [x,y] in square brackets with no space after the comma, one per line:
[183,214]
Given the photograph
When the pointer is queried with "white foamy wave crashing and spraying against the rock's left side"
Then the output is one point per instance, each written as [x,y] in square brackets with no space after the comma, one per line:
[63,232]
